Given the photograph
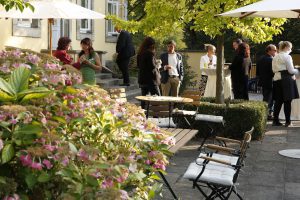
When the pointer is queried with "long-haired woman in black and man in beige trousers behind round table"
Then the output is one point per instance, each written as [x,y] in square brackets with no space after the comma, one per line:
[162,76]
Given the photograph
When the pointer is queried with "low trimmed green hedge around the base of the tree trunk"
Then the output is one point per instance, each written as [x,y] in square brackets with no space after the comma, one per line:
[239,117]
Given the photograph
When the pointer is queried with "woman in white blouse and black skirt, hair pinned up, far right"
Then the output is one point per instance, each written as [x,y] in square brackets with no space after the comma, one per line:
[284,85]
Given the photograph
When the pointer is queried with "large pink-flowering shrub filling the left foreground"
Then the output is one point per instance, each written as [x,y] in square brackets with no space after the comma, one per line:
[63,140]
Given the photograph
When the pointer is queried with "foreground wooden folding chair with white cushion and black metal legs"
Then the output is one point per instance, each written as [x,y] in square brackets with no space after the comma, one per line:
[218,172]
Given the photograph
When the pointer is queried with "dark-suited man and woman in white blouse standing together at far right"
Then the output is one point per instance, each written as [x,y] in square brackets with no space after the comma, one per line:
[277,76]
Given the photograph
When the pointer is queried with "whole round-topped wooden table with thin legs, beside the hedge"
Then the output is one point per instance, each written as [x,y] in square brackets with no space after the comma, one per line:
[168,99]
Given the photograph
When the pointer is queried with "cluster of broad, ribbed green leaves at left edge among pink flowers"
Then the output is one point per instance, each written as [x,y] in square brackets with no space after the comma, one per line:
[17,90]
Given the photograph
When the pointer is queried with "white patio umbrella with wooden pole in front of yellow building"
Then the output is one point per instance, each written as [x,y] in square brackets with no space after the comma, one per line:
[52,9]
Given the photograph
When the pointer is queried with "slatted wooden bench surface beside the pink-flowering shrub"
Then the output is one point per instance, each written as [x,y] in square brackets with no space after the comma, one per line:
[182,136]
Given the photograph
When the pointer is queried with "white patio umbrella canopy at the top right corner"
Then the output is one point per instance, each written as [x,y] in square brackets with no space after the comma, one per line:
[268,8]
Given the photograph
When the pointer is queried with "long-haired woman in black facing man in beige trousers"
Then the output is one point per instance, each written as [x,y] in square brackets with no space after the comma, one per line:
[149,75]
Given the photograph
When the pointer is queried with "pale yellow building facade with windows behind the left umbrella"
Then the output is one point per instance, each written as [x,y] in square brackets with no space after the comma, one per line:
[34,34]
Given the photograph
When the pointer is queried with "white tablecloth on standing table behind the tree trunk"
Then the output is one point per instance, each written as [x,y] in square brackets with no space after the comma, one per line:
[210,89]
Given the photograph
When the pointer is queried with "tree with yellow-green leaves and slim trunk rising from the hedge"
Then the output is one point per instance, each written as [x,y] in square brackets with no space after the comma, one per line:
[162,17]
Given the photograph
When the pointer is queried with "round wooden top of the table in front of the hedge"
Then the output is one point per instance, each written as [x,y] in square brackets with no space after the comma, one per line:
[164,99]
